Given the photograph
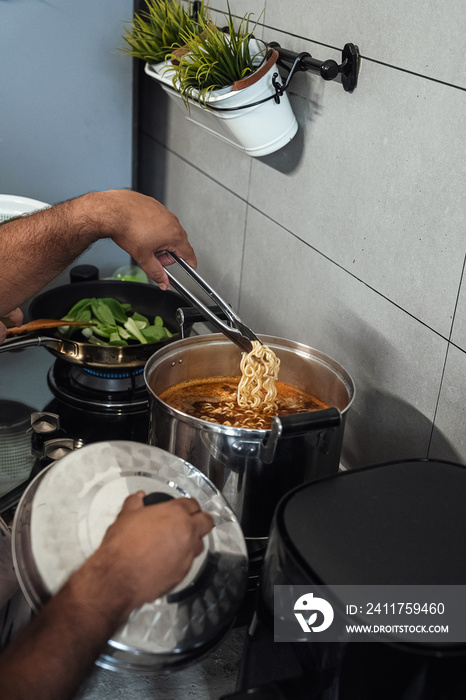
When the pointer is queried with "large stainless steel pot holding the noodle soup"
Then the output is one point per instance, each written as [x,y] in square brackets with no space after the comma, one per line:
[253,469]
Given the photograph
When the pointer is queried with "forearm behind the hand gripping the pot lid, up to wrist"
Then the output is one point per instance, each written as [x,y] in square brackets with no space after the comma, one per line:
[49,660]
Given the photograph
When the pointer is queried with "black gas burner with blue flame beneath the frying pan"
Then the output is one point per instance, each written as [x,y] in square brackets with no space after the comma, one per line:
[121,391]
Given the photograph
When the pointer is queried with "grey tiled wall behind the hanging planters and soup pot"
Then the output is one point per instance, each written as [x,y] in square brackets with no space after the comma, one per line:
[352,238]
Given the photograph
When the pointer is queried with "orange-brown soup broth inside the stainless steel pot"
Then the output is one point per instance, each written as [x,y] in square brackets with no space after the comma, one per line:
[214,399]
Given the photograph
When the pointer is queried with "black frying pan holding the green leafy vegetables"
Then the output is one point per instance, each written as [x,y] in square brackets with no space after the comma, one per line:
[144,298]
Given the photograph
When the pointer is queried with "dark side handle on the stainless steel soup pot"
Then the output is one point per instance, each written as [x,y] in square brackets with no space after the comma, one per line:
[297,424]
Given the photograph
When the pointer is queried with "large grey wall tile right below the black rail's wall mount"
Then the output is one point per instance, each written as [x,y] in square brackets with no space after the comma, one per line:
[368,182]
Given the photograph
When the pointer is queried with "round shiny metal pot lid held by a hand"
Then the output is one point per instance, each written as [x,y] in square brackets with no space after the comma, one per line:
[64,515]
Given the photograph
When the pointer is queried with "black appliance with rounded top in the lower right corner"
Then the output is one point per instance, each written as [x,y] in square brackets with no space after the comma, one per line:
[400,523]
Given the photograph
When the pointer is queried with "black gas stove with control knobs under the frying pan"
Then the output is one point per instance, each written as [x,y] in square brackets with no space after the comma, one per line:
[81,405]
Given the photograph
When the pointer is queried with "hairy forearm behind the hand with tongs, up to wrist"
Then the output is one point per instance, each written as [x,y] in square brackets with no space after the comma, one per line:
[34,249]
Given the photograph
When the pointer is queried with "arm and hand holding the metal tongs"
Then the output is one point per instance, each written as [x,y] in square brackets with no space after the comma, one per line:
[34,249]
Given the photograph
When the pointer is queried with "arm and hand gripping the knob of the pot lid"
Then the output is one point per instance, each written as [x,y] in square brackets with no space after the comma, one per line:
[147,551]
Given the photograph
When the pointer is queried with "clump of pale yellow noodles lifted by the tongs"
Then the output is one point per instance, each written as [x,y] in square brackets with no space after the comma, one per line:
[259,372]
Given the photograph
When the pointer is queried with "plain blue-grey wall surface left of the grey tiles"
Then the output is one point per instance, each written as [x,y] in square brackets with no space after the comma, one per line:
[66,103]
